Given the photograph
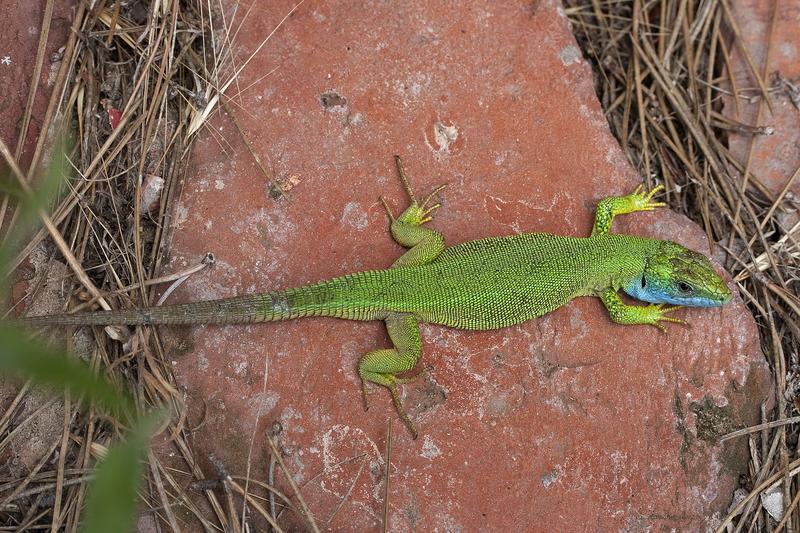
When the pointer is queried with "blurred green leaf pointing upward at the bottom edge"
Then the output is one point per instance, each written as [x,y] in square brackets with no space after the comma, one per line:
[111,501]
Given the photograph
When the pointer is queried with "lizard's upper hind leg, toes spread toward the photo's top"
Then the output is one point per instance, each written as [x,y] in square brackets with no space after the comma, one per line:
[425,244]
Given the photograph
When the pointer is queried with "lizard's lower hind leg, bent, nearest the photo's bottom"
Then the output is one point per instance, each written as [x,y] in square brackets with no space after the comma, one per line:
[382,366]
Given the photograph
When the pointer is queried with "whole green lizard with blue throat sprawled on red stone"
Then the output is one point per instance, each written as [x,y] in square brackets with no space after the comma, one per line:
[480,285]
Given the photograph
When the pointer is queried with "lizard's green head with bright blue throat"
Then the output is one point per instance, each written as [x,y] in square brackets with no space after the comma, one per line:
[678,276]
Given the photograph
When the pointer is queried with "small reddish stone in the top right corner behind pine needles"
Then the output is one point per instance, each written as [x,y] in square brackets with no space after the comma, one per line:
[776,157]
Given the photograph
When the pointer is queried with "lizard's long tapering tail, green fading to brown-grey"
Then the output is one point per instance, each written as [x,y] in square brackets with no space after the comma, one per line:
[328,298]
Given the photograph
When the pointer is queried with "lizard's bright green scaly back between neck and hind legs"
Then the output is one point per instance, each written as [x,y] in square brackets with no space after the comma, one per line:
[497,282]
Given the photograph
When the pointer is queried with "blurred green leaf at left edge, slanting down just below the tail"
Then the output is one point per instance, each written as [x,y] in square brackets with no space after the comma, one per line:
[27,359]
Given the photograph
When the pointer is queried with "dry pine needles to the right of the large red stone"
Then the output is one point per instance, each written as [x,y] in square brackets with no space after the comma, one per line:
[662,70]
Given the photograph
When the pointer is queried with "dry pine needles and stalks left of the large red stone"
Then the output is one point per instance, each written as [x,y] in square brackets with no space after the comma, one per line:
[137,81]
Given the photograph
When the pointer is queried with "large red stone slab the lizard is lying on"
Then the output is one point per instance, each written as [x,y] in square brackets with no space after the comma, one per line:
[567,421]
